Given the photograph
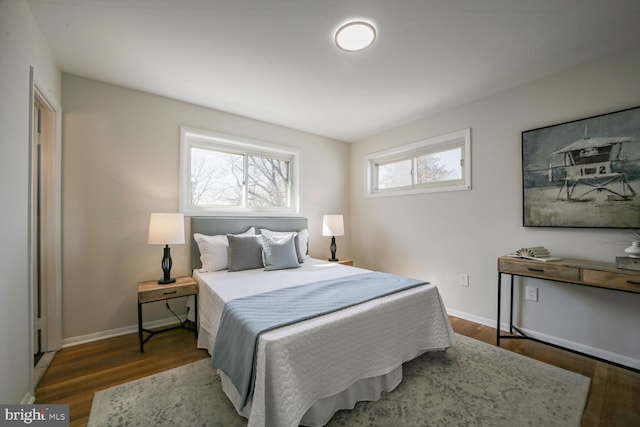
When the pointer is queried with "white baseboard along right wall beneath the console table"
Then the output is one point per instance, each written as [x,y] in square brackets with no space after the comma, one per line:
[593,351]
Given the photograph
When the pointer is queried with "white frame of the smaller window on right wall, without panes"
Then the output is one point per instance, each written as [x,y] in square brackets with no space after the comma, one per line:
[412,151]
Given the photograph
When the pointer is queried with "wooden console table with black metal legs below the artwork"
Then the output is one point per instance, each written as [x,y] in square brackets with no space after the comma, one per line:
[575,272]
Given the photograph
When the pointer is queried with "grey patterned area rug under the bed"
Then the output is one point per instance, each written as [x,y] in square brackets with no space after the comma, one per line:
[470,384]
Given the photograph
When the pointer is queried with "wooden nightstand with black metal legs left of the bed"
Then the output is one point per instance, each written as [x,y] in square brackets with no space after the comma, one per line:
[151,291]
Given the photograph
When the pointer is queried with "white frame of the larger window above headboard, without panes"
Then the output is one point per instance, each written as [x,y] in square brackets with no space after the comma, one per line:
[204,139]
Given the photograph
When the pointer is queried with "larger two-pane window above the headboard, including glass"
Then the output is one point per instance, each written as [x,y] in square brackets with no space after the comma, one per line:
[226,174]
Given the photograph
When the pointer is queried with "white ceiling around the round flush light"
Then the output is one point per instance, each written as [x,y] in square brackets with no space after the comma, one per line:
[275,60]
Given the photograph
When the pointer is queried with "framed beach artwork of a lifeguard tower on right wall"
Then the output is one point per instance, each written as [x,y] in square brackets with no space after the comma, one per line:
[583,173]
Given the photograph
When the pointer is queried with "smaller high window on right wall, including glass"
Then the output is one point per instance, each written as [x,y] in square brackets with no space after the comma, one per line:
[441,163]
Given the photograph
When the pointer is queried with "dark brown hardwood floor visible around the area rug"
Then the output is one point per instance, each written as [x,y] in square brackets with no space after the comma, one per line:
[76,373]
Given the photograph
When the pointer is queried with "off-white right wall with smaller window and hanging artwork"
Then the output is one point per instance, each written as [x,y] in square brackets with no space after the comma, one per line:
[439,236]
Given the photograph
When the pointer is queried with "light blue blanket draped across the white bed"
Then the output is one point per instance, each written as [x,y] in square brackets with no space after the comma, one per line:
[244,319]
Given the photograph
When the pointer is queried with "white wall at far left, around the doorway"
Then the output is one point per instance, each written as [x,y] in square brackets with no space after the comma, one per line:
[21,46]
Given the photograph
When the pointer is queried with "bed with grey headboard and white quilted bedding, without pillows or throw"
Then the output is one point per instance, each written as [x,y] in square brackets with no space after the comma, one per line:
[306,371]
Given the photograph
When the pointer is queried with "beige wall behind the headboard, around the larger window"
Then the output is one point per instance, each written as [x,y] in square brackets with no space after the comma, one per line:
[121,162]
